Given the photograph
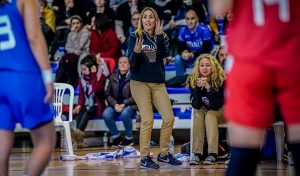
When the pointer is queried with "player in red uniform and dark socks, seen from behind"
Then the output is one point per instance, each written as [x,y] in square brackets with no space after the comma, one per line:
[263,39]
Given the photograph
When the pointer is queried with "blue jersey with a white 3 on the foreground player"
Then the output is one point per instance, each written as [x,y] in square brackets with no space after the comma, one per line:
[15,51]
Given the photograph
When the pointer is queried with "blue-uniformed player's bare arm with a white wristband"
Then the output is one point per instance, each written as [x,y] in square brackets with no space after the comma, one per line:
[29,11]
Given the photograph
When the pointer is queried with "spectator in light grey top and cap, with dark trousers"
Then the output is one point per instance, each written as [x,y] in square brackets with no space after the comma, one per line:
[77,47]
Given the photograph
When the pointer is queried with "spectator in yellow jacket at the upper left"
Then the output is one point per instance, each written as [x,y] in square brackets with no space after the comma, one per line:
[47,20]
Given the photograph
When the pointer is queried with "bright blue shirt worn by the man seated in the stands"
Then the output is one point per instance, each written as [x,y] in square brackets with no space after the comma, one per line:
[194,39]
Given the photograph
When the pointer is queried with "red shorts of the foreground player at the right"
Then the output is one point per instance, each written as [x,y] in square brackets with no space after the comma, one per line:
[253,89]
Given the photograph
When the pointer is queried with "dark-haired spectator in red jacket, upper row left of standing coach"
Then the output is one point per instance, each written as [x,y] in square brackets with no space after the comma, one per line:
[104,43]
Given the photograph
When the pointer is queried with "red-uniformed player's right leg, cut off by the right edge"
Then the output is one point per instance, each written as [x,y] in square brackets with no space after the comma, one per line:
[288,83]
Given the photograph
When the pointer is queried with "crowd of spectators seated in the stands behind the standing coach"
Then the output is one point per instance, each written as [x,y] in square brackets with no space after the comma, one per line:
[100,29]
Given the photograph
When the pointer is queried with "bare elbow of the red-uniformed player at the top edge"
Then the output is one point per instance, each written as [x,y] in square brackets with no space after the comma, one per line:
[220,7]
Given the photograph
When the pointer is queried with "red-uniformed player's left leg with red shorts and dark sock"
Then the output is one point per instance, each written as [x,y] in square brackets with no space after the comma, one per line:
[249,110]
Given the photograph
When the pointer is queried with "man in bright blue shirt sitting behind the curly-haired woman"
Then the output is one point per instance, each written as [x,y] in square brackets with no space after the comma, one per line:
[193,40]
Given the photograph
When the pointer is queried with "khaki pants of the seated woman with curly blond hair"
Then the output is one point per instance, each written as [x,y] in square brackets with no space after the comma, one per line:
[206,121]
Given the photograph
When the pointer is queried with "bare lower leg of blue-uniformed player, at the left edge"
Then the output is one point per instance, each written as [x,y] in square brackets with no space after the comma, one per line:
[7,140]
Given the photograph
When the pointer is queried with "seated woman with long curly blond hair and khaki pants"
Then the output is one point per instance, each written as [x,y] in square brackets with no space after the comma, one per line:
[206,84]
